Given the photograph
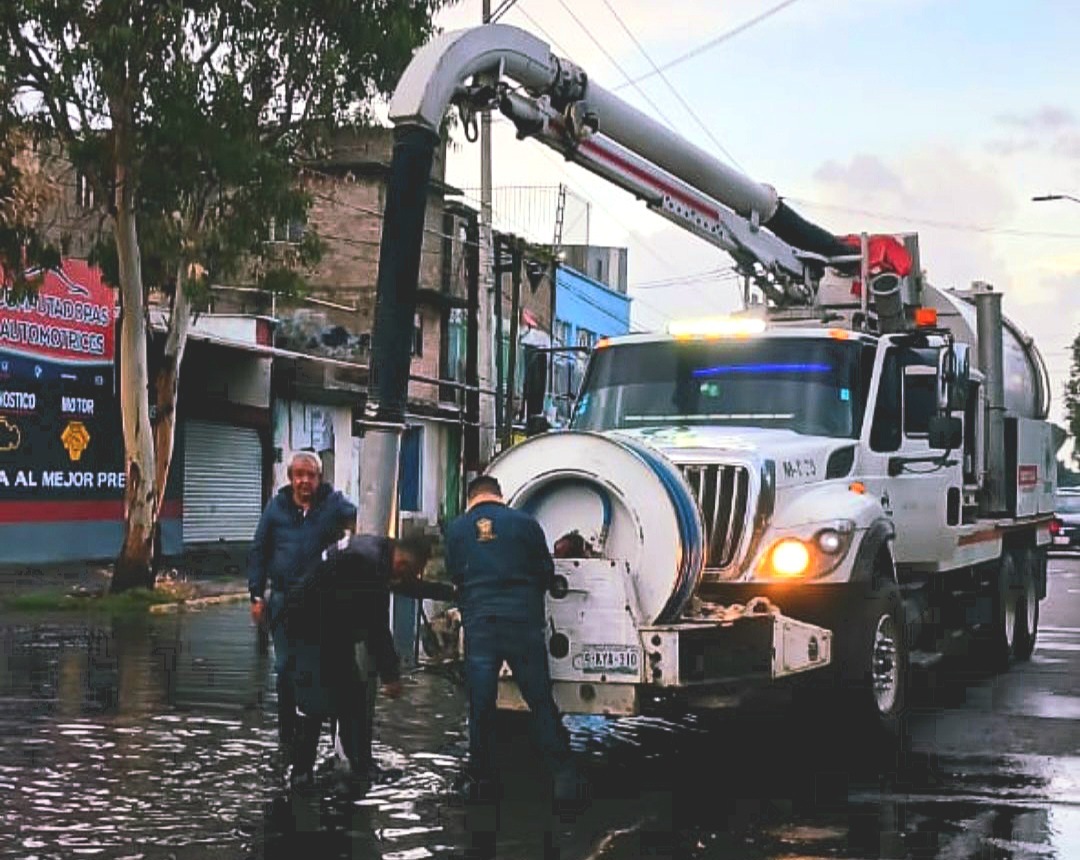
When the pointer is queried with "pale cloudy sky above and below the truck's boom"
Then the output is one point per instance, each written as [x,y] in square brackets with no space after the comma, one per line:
[939,116]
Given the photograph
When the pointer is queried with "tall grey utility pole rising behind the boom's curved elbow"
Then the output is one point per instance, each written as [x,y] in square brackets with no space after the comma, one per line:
[488,411]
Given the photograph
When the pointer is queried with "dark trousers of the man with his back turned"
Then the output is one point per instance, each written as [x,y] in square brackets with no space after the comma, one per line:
[522,646]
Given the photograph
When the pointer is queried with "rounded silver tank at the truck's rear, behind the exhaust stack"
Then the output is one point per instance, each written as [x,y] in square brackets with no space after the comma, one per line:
[1027,381]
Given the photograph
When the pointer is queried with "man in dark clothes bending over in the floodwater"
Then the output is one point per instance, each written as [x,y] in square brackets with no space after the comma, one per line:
[341,602]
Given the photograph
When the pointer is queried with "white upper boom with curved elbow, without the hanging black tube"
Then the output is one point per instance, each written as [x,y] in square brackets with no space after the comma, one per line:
[555,101]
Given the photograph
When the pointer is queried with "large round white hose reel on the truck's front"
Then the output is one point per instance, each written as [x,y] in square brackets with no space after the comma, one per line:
[626,499]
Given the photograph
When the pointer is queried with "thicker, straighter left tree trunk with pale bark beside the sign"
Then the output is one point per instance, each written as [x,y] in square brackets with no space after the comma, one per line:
[134,567]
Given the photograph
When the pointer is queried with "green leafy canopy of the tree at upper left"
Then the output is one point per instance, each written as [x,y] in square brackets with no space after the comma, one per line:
[209,107]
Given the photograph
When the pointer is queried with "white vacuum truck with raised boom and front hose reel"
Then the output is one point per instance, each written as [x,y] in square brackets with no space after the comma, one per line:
[852,477]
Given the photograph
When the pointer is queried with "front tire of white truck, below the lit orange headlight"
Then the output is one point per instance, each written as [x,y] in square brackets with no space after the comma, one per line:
[874,662]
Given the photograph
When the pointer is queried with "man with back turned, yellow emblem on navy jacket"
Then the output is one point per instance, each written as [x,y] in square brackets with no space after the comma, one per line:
[498,558]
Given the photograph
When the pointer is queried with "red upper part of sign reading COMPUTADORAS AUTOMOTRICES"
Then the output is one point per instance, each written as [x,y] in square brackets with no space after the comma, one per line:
[71,320]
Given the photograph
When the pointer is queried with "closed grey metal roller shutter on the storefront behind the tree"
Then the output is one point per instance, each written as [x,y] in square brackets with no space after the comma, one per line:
[223,482]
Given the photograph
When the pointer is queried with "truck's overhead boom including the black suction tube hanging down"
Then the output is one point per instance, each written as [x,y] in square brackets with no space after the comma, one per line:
[498,66]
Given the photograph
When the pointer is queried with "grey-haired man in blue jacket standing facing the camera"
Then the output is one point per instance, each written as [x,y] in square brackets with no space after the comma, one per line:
[300,522]
